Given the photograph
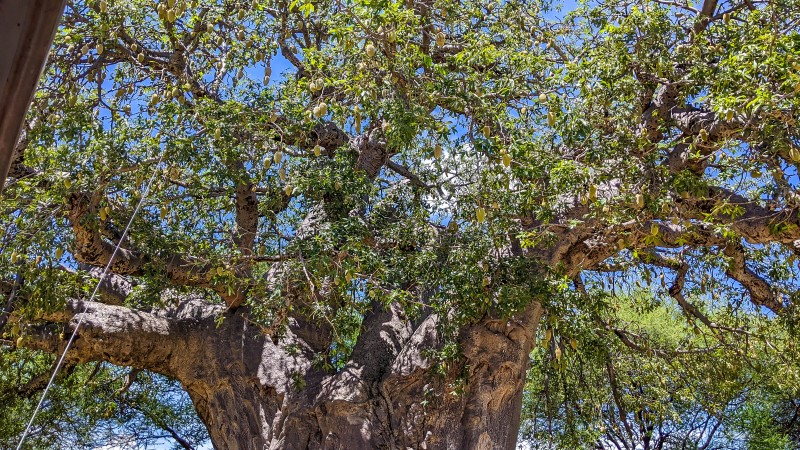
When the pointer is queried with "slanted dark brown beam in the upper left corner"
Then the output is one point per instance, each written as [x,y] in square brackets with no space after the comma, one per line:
[27,28]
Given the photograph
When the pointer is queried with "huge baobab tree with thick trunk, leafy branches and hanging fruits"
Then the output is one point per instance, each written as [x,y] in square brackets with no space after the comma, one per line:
[362,209]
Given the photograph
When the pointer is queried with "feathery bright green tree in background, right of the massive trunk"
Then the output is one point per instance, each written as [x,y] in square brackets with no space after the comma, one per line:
[649,380]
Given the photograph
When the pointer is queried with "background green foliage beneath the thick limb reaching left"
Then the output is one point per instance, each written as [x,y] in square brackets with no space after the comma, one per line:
[94,405]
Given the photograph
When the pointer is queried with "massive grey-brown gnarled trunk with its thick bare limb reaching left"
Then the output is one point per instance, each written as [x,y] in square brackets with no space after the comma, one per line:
[256,392]
